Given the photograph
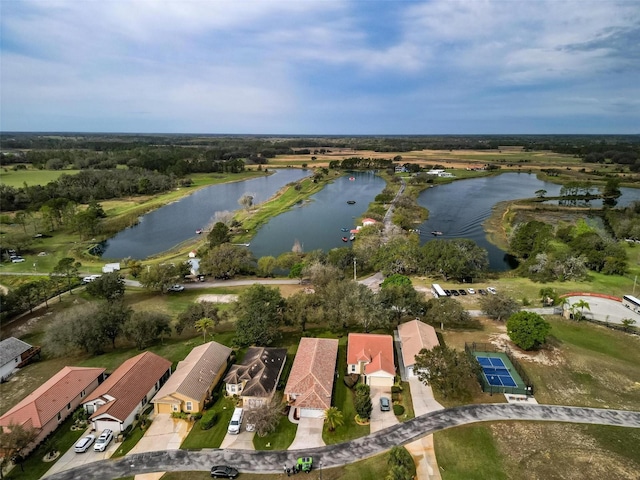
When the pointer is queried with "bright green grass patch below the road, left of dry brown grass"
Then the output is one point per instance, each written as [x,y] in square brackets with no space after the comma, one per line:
[468,453]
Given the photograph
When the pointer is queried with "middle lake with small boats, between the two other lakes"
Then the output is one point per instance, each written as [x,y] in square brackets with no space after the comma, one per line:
[317,223]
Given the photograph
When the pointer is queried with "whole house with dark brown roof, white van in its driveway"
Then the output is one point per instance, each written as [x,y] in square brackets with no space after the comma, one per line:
[256,378]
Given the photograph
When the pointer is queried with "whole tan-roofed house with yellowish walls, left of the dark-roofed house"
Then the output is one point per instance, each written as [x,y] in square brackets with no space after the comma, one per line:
[195,377]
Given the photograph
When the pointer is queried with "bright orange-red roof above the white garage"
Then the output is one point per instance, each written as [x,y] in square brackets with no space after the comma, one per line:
[376,351]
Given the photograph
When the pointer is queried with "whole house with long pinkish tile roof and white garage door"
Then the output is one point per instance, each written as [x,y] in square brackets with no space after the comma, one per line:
[310,384]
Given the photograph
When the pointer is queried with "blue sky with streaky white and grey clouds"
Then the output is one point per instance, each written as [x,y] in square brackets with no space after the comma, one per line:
[320,67]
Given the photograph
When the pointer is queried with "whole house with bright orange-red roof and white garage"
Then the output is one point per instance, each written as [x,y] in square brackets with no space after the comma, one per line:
[371,356]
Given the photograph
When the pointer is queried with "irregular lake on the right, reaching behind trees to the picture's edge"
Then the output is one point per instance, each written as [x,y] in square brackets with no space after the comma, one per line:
[458,209]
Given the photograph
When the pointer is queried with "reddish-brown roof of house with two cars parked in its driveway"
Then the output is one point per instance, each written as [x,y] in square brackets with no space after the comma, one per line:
[128,384]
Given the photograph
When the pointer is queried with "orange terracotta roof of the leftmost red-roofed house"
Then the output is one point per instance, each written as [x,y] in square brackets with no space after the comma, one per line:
[46,401]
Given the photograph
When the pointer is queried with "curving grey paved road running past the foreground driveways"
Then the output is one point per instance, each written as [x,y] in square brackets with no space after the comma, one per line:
[346,453]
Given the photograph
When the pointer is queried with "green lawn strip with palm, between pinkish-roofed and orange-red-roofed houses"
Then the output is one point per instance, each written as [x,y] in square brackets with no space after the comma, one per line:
[343,399]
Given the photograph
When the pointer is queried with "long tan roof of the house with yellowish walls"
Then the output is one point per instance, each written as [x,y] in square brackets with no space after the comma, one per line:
[195,374]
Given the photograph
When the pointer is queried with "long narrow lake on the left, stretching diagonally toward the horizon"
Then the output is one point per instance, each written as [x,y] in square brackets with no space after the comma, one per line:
[166,227]
